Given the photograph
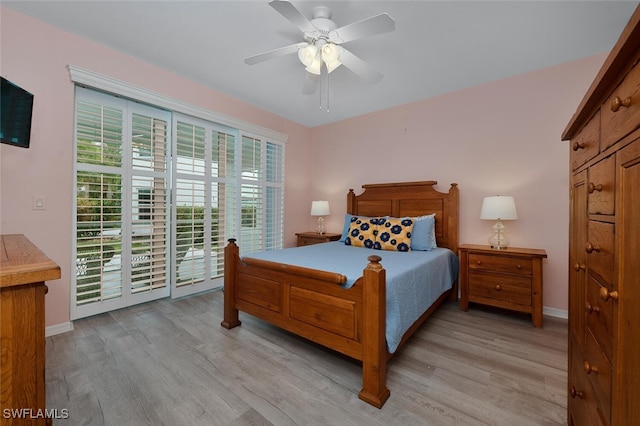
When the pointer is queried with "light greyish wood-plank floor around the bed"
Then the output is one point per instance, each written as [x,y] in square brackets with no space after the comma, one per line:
[170,363]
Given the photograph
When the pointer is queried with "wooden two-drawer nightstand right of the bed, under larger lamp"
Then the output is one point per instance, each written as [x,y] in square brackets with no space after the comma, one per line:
[508,278]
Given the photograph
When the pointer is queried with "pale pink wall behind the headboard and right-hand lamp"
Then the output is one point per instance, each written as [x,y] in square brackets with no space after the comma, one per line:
[498,138]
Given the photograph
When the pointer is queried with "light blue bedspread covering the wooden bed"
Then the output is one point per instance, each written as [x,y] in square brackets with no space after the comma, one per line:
[414,279]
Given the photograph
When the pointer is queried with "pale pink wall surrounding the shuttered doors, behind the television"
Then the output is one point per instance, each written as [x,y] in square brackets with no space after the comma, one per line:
[35,56]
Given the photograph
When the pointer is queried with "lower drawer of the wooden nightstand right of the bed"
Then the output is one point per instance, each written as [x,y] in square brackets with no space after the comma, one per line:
[488,288]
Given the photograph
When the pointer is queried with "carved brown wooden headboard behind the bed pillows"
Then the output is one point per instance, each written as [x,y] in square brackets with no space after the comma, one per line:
[411,199]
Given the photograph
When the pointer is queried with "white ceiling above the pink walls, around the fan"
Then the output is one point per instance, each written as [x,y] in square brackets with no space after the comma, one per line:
[437,47]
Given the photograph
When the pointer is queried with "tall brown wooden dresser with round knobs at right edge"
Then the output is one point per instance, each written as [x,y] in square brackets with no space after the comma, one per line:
[604,267]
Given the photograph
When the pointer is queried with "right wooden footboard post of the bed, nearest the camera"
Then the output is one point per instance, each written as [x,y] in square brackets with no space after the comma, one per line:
[374,346]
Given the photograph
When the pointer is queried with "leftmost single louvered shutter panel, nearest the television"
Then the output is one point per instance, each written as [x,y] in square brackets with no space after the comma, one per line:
[99,135]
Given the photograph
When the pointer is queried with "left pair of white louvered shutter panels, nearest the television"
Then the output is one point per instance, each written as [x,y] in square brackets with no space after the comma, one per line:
[121,237]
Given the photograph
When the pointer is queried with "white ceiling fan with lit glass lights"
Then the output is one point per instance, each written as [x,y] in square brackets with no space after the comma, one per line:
[321,50]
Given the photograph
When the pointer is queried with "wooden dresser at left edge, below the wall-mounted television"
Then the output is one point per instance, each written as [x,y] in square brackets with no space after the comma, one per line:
[23,271]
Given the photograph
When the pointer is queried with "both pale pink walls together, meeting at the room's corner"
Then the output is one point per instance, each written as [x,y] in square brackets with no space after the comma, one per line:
[502,137]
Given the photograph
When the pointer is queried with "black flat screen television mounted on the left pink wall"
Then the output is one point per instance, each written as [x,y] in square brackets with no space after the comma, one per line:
[16,108]
